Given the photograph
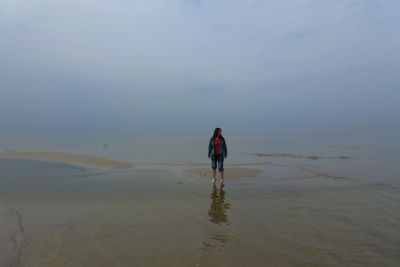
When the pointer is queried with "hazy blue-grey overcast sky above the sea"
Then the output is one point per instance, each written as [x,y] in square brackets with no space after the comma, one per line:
[178,61]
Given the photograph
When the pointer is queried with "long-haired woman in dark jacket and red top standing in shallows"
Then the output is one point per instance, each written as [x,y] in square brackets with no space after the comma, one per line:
[217,151]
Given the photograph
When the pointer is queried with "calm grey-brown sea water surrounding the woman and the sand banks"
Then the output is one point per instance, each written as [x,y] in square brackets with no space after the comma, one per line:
[299,212]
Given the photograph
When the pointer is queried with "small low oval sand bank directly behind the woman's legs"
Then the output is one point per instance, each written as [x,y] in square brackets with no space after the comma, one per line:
[229,173]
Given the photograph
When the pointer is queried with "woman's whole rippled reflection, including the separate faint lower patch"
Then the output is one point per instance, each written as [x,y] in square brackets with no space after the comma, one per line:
[217,213]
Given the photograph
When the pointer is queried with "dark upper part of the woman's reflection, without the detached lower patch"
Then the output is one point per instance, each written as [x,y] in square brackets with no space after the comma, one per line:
[218,206]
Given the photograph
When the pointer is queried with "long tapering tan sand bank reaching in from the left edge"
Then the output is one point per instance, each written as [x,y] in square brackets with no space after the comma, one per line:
[70,157]
